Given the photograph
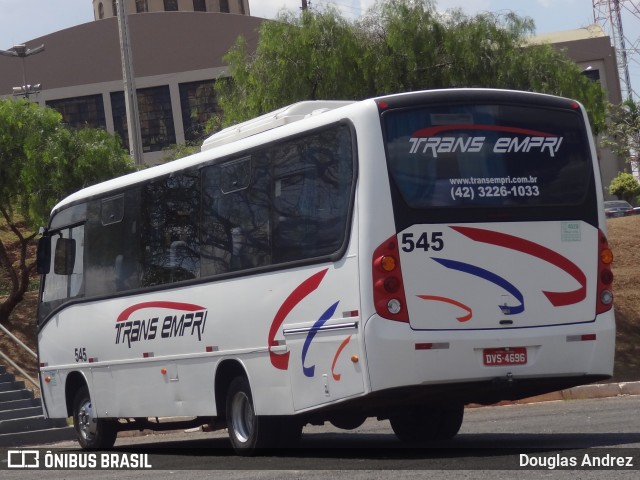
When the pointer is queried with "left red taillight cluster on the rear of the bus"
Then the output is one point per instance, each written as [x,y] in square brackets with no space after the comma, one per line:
[388,287]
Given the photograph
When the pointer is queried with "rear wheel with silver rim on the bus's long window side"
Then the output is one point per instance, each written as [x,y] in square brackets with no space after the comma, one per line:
[248,432]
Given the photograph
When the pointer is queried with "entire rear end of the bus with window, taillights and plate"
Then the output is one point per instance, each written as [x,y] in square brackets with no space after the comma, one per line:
[497,280]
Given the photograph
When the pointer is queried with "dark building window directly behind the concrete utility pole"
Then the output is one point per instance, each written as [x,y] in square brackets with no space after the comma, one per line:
[156,118]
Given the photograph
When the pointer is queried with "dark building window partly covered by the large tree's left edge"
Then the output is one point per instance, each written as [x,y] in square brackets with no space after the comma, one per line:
[198,105]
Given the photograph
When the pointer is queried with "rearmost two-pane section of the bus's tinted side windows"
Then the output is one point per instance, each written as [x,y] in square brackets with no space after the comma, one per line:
[287,202]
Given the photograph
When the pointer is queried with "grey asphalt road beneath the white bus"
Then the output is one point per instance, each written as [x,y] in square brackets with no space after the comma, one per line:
[518,441]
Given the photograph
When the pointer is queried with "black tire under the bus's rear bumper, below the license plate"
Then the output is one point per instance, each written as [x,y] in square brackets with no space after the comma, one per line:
[416,425]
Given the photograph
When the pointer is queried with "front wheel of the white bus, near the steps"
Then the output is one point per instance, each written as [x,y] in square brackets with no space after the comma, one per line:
[93,433]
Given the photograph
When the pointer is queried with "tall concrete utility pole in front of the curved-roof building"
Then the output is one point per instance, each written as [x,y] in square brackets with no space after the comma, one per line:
[128,78]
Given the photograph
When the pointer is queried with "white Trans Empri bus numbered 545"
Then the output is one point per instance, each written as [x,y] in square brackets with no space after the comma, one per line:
[398,257]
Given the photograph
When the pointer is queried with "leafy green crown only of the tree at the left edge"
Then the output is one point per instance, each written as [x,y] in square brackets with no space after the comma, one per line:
[42,161]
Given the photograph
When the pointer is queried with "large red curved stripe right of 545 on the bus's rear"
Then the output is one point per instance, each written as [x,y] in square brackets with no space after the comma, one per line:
[557,299]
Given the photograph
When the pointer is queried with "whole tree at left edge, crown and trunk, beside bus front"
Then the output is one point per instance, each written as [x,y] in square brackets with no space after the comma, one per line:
[42,161]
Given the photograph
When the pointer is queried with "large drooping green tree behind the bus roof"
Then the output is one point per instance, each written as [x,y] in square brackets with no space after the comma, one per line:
[399,45]
